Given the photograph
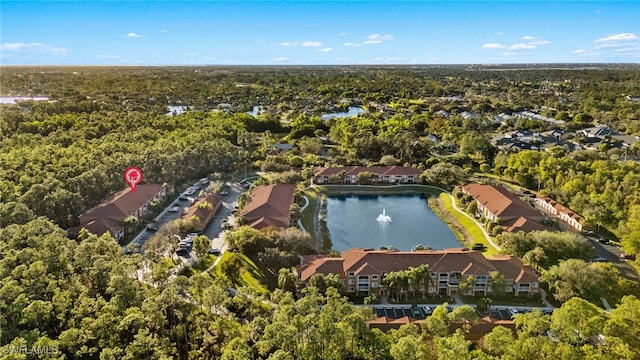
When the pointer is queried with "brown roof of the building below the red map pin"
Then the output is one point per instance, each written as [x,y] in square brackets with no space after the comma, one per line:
[122,204]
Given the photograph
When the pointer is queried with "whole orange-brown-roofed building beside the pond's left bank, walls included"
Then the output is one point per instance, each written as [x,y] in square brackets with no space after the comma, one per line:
[269,206]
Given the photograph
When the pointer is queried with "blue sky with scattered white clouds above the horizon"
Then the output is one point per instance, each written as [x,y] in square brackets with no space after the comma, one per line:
[319,32]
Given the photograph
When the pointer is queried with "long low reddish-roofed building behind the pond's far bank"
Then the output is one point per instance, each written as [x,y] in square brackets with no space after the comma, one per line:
[349,174]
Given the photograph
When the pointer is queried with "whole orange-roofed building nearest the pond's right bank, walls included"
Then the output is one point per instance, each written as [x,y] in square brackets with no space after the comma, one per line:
[500,205]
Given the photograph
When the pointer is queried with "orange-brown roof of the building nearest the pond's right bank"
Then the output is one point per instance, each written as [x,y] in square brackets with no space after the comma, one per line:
[500,201]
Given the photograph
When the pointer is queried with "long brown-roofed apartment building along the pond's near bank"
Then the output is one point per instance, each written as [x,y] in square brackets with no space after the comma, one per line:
[362,270]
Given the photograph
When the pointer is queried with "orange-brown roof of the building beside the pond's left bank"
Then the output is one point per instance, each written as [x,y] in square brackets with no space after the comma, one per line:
[269,201]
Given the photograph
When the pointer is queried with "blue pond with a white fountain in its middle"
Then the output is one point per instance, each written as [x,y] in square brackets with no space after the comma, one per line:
[352,223]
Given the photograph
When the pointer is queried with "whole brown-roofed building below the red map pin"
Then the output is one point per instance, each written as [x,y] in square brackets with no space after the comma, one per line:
[109,215]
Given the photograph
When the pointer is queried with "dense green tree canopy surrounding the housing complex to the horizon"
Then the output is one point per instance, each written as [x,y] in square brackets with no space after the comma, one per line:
[84,297]
